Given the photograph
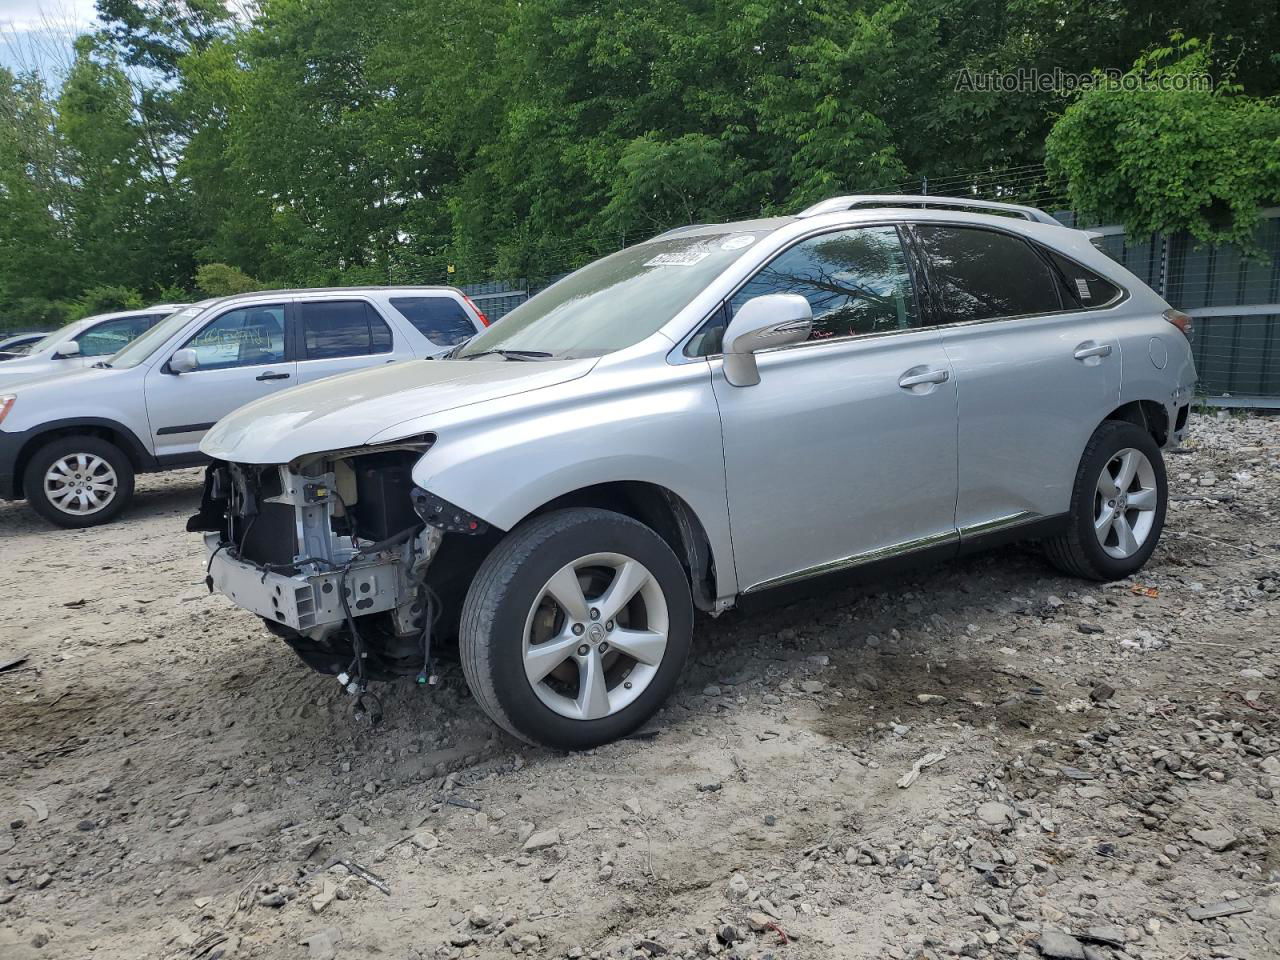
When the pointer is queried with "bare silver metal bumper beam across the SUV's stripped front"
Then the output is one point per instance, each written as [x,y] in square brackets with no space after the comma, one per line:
[305,602]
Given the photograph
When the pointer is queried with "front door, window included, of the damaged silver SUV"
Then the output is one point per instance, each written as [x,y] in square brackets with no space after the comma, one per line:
[845,452]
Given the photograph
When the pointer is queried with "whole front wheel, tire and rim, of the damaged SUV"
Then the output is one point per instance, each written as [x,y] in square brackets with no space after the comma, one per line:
[577,628]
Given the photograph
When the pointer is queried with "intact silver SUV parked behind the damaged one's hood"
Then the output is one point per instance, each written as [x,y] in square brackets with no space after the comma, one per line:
[72,445]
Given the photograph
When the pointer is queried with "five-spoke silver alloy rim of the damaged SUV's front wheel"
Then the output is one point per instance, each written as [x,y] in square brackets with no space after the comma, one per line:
[596,637]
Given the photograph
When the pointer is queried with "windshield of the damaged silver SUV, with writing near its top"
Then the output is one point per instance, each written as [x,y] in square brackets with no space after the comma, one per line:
[620,300]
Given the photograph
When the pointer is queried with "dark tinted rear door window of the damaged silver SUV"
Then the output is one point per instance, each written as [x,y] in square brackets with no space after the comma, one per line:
[984,275]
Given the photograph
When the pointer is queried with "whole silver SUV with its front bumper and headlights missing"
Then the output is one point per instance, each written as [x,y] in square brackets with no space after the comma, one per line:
[717,413]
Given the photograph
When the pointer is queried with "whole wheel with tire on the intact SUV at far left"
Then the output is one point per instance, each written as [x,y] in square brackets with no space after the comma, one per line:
[79,482]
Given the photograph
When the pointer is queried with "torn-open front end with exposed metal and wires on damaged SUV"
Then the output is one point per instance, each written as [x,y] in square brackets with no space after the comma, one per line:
[344,557]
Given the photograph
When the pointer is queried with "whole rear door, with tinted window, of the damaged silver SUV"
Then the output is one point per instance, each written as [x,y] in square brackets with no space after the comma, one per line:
[1036,372]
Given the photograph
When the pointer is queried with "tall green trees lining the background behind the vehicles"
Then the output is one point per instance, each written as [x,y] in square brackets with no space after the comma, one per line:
[344,141]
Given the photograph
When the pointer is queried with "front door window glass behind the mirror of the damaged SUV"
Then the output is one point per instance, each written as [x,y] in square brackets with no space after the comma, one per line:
[856,281]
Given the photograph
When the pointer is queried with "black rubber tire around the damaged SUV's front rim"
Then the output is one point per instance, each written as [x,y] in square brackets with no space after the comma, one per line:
[500,601]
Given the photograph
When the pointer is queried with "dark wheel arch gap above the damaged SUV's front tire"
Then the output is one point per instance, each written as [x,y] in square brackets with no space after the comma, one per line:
[662,511]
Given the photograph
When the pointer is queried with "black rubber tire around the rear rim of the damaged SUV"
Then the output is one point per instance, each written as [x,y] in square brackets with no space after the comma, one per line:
[1078,552]
